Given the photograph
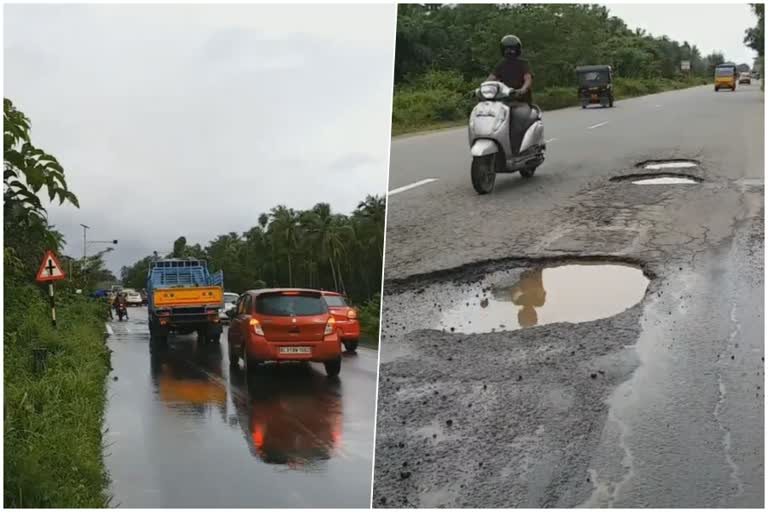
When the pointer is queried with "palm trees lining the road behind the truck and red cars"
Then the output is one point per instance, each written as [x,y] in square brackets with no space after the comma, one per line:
[313,248]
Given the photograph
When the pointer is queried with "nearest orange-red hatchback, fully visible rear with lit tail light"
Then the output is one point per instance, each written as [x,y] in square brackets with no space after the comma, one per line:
[283,325]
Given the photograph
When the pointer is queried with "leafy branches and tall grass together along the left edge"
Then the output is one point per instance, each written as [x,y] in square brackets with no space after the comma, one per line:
[53,403]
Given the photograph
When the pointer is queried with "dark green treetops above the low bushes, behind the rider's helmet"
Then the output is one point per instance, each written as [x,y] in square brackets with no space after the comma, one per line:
[556,38]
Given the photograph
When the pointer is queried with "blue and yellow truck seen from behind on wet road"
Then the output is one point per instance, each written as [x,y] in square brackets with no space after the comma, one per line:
[184,297]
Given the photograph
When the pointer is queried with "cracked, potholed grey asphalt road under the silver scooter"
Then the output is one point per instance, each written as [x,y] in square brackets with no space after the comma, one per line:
[550,398]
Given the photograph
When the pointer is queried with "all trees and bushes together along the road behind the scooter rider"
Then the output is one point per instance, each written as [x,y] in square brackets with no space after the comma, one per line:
[444,52]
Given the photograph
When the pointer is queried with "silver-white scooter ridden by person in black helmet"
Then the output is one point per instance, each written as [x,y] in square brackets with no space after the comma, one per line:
[489,138]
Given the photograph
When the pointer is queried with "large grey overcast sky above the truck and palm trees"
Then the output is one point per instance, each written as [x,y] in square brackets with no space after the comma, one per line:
[194,119]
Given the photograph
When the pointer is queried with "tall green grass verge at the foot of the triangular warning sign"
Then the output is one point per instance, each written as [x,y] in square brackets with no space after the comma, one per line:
[53,418]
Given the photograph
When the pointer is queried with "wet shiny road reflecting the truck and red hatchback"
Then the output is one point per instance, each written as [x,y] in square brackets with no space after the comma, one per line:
[186,431]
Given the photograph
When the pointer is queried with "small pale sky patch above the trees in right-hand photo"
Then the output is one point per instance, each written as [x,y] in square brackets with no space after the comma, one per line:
[711,27]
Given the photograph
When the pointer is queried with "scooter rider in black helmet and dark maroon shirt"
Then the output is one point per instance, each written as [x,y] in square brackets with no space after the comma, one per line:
[516,73]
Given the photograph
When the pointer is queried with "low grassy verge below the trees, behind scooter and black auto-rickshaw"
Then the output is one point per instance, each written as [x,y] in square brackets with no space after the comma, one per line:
[443,99]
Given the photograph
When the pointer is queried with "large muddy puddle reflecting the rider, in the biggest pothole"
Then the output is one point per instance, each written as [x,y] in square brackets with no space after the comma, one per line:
[566,293]
